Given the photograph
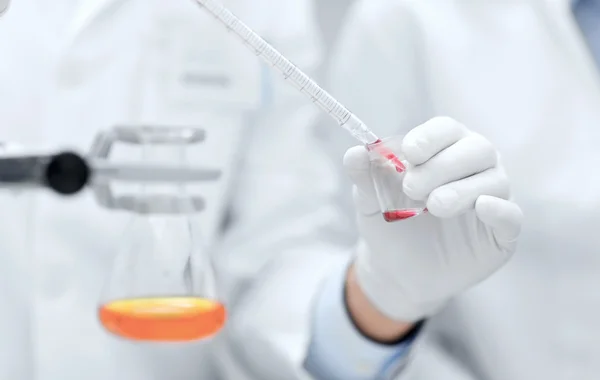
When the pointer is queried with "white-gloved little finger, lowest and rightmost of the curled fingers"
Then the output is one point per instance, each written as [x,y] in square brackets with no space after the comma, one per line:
[502,216]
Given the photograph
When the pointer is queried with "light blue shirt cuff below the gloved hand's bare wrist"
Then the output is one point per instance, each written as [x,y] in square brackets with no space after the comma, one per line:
[338,351]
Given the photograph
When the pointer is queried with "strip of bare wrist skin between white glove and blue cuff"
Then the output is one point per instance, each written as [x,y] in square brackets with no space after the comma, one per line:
[373,324]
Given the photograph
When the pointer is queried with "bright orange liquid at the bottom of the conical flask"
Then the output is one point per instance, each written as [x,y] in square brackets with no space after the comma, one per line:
[168,319]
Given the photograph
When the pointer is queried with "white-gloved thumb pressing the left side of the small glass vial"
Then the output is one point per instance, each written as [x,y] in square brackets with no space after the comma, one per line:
[357,166]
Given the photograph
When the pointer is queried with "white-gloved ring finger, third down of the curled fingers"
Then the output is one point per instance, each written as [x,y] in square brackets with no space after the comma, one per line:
[458,197]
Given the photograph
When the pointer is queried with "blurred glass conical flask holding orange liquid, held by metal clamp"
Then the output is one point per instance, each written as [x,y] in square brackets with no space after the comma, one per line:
[162,286]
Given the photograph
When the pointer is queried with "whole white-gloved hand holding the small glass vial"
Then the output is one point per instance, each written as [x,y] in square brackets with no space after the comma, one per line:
[411,268]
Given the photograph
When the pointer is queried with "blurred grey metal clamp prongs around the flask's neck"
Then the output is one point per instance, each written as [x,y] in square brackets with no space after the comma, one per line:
[148,203]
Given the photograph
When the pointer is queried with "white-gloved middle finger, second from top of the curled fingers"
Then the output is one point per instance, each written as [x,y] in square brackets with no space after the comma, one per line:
[470,155]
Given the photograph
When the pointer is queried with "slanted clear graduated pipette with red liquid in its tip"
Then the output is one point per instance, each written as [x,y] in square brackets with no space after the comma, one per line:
[300,80]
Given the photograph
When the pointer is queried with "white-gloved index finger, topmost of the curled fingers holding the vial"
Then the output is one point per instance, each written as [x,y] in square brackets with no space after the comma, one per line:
[428,139]
